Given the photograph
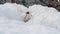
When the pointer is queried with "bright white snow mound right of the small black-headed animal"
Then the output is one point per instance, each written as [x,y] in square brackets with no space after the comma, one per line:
[45,16]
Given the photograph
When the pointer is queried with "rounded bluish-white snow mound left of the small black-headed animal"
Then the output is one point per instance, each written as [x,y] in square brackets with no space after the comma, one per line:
[12,11]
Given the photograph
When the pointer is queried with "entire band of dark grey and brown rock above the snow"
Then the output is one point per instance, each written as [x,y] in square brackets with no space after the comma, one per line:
[27,3]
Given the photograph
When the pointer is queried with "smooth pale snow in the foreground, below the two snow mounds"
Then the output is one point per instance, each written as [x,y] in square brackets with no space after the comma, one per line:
[8,26]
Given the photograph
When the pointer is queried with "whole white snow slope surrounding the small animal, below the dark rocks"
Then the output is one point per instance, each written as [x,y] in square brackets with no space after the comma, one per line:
[45,20]
